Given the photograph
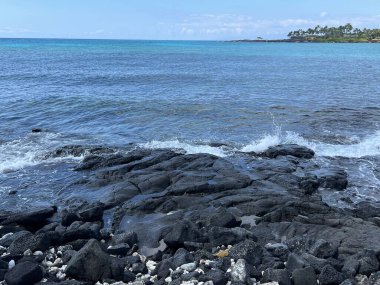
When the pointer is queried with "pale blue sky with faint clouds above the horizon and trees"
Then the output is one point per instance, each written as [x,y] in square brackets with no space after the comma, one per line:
[178,19]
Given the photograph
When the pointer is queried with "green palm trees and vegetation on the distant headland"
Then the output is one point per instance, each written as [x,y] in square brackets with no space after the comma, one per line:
[341,34]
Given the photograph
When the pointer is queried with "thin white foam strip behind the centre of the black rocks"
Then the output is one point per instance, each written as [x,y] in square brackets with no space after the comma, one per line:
[189,148]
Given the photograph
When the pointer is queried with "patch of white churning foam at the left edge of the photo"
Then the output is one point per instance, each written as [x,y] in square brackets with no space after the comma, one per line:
[27,151]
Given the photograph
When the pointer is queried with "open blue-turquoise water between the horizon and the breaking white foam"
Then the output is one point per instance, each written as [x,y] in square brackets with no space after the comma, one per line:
[138,91]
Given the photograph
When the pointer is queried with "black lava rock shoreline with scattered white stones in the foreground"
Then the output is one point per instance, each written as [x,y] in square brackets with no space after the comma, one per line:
[165,217]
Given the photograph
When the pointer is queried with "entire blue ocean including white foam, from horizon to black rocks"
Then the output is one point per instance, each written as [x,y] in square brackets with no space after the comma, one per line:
[203,97]
